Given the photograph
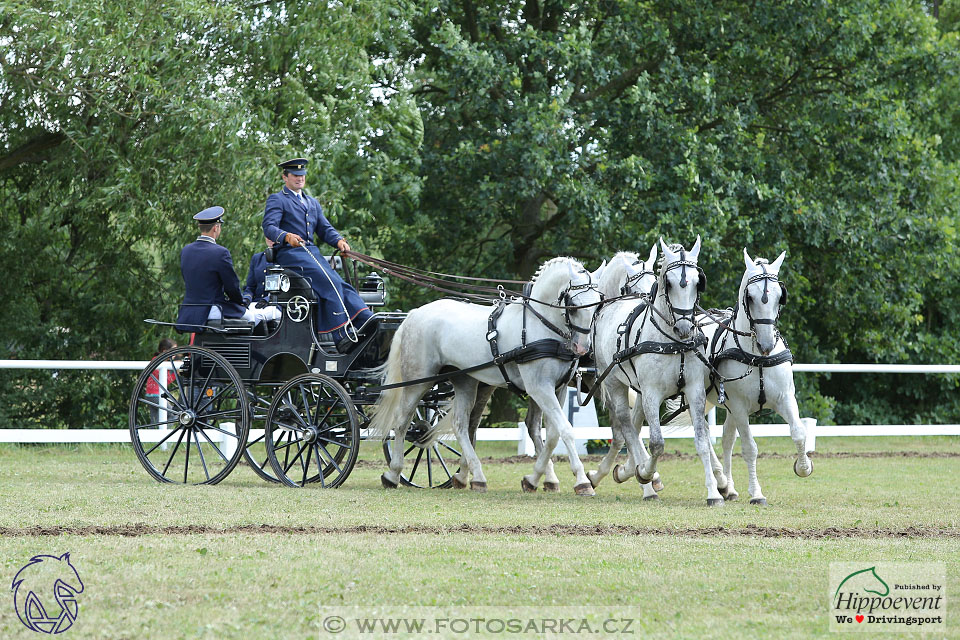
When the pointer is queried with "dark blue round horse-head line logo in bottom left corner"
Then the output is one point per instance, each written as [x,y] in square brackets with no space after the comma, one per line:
[45,593]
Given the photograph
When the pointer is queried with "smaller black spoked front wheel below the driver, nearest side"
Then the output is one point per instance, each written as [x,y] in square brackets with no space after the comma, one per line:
[312,432]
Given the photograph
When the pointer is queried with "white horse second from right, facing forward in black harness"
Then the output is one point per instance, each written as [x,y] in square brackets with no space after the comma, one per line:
[659,355]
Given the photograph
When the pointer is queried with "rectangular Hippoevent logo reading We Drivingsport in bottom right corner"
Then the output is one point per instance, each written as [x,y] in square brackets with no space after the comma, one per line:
[887,597]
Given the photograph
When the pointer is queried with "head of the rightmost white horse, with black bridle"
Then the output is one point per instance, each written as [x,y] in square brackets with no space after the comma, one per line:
[762,295]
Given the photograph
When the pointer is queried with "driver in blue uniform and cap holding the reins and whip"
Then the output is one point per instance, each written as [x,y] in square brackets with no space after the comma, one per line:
[291,220]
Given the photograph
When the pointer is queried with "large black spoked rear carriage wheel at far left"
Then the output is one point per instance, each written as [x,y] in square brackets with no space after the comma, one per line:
[195,430]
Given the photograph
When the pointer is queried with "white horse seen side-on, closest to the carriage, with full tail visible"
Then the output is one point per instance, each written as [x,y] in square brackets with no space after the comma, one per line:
[448,335]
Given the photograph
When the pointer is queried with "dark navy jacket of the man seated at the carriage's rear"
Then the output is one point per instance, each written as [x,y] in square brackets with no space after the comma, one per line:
[208,279]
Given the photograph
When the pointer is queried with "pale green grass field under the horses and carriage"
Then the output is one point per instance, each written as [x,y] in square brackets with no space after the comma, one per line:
[248,559]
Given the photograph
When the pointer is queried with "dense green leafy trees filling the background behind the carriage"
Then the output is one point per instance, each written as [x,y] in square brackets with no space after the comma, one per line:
[484,138]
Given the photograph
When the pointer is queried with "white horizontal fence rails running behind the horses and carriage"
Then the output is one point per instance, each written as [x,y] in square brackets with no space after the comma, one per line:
[513,435]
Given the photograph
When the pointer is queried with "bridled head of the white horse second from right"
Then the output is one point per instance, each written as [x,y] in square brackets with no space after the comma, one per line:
[679,285]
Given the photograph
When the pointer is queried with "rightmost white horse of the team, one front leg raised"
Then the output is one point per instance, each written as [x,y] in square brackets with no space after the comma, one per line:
[756,369]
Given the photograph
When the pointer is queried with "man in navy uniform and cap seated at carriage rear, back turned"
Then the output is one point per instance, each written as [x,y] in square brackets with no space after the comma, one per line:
[211,284]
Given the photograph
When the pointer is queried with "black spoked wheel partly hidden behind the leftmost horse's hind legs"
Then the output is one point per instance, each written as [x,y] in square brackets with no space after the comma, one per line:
[433,464]
